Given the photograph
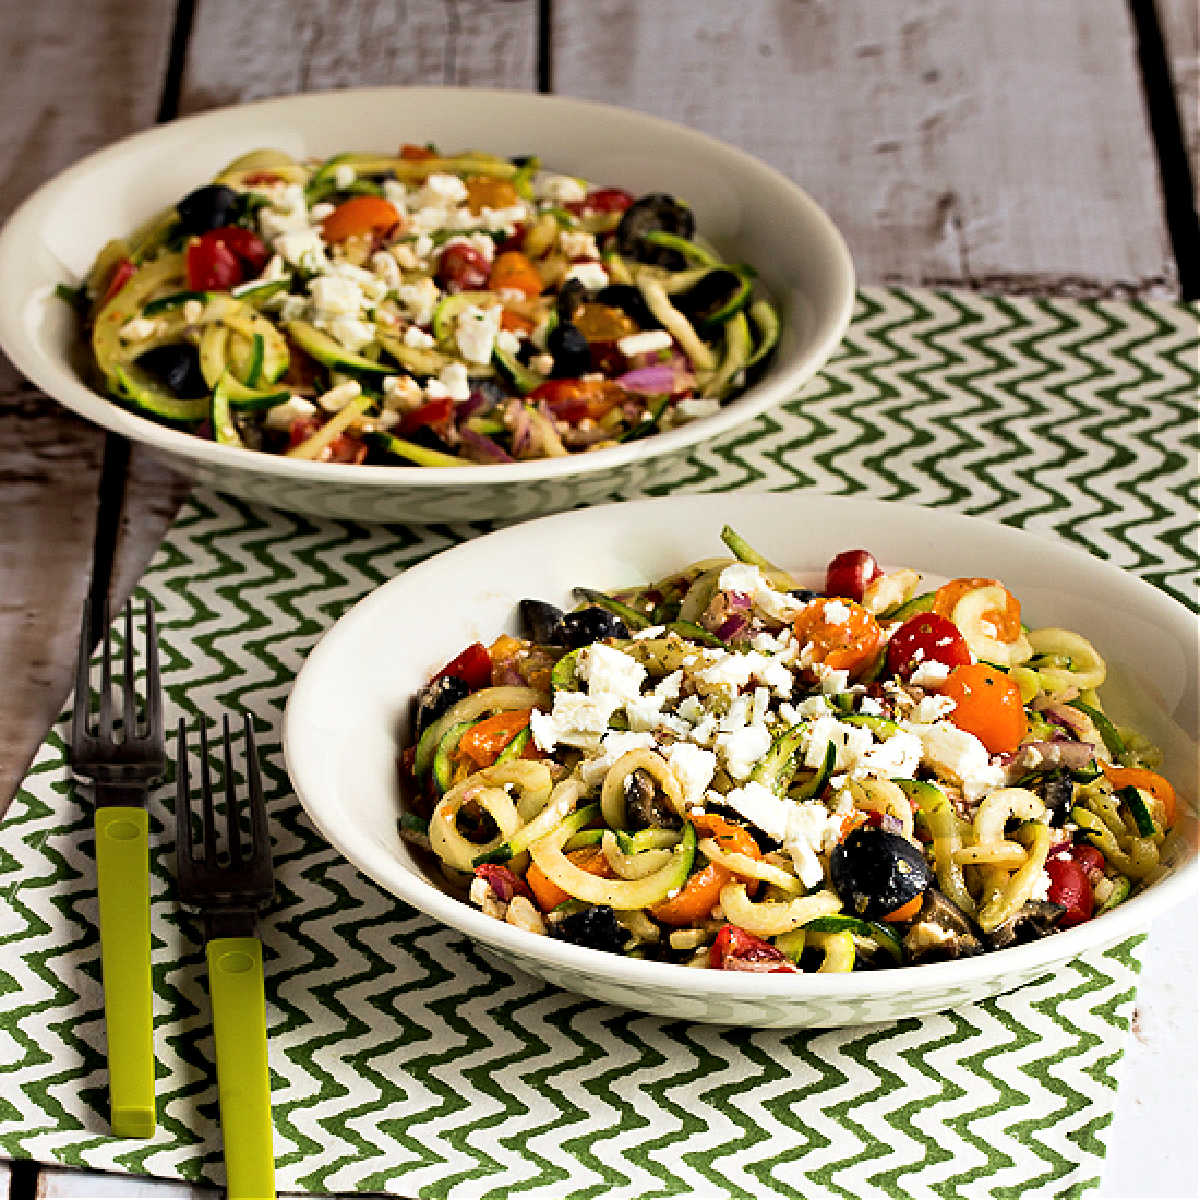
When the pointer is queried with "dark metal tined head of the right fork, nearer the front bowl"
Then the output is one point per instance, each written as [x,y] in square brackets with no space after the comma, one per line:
[247,880]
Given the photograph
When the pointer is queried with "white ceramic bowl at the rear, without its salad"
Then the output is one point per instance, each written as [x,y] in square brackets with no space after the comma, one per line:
[751,212]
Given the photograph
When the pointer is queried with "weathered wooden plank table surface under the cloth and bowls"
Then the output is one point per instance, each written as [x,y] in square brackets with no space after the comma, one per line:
[1035,147]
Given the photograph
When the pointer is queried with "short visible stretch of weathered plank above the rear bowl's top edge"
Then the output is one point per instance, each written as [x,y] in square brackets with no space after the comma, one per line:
[241,52]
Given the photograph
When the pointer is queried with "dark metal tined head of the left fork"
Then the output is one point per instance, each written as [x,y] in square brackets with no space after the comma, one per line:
[141,748]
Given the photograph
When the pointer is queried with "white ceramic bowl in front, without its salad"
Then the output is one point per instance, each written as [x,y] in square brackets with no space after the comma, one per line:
[352,701]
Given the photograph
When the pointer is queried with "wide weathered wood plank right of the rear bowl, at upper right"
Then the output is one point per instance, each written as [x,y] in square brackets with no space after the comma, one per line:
[995,146]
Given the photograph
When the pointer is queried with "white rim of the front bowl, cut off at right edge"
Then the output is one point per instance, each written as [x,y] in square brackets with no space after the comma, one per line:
[1125,921]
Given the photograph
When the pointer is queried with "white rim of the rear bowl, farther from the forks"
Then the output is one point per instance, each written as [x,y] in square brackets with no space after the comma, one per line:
[58,381]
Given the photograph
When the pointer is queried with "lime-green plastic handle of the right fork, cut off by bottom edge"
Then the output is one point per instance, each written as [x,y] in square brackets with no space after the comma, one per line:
[239,1024]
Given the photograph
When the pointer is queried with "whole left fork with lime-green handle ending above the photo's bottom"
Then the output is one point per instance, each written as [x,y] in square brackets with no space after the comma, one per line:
[121,772]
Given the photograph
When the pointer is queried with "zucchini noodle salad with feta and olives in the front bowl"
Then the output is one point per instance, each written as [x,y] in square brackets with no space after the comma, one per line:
[724,770]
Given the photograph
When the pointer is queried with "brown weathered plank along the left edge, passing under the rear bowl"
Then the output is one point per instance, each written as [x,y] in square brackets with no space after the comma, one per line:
[76,77]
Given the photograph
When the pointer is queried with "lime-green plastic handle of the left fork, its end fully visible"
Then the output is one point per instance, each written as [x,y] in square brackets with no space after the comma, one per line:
[123,886]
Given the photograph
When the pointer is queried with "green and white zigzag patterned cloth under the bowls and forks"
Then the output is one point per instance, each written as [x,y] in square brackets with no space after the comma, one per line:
[405,1061]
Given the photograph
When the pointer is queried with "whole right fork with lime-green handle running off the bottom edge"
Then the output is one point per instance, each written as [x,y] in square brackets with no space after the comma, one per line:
[231,897]
